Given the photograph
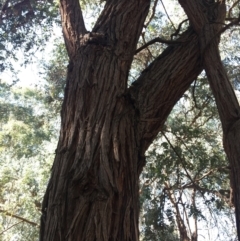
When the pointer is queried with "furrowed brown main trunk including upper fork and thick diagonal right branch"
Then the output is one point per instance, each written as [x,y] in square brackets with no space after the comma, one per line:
[106,127]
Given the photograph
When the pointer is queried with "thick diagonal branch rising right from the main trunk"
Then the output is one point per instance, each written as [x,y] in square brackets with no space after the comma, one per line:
[163,83]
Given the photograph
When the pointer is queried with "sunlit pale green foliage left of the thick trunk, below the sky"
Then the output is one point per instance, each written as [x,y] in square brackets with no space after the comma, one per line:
[27,142]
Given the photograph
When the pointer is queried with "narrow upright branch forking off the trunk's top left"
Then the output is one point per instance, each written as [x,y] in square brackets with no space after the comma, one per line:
[72,23]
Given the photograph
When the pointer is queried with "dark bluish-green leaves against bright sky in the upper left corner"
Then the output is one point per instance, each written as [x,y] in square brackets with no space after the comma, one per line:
[24,27]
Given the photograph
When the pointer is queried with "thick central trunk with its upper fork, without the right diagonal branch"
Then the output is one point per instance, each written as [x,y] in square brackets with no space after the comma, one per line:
[93,190]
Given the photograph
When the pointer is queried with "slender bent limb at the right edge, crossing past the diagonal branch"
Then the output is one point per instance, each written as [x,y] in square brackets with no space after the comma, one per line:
[206,20]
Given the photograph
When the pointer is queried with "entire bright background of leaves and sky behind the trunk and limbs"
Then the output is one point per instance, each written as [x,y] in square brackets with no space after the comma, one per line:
[185,185]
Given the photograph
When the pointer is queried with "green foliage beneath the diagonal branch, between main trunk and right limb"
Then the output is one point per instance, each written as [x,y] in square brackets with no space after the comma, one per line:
[187,172]
